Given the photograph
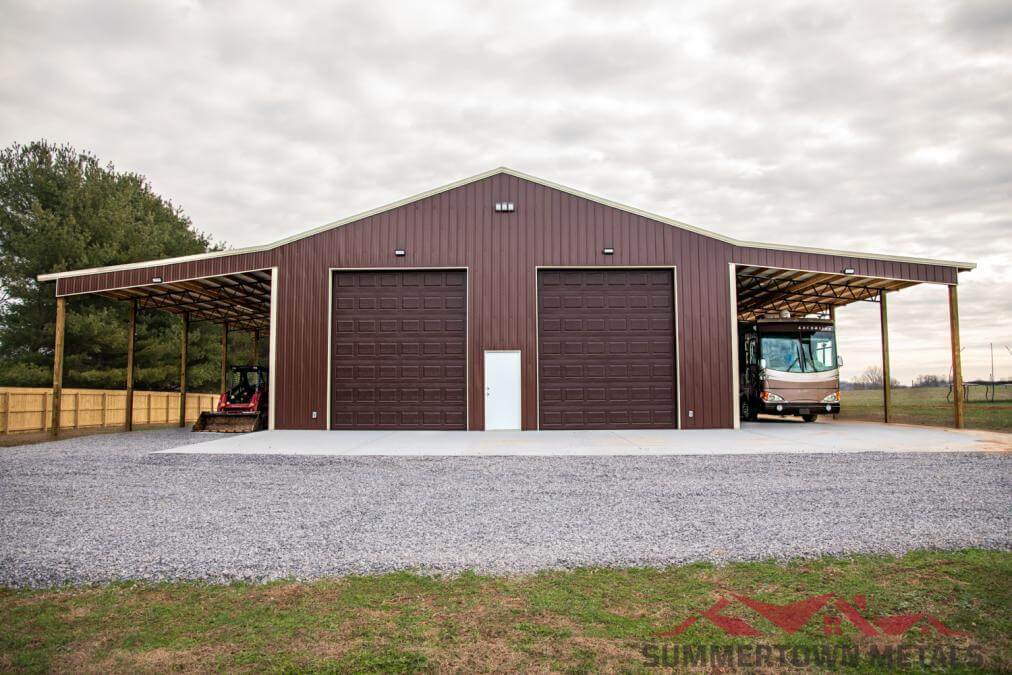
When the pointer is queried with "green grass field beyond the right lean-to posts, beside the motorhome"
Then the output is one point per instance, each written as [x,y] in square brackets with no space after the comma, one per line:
[927,405]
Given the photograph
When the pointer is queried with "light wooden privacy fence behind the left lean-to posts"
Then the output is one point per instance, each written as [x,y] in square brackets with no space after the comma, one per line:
[26,409]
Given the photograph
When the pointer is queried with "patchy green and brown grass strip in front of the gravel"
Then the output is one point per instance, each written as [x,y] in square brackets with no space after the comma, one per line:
[592,620]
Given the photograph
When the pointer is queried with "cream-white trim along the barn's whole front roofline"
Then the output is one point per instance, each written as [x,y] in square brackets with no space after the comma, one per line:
[482,177]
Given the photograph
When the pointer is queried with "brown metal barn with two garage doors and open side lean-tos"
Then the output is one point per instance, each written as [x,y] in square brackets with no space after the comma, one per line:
[384,320]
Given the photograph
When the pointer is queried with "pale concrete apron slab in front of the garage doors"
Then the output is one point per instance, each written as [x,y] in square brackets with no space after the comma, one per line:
[753,439]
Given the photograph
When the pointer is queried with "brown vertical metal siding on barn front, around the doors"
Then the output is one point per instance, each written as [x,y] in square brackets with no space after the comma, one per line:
[502,252]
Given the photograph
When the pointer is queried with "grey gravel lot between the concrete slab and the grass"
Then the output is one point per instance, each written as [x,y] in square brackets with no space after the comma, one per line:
[101,509]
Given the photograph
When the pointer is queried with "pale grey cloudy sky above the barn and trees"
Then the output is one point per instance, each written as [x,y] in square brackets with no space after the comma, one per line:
[870,126]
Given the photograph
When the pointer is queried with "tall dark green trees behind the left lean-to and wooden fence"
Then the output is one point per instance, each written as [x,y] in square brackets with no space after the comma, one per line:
[63,210]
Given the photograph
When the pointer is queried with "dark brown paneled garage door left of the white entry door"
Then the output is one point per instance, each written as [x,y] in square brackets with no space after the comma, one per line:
[399,351]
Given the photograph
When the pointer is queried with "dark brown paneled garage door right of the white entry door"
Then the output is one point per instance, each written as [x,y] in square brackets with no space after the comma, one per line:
[607,349]
